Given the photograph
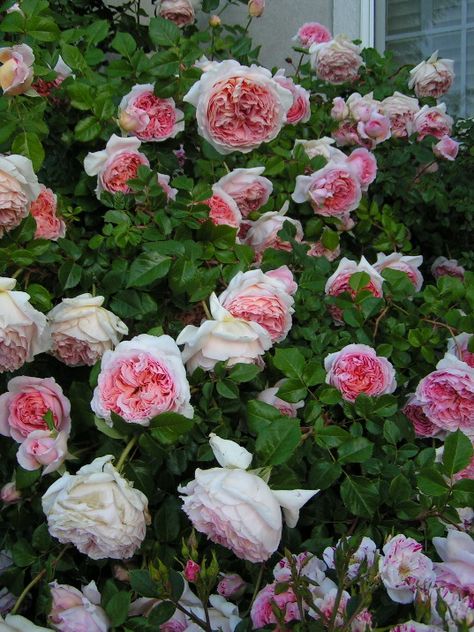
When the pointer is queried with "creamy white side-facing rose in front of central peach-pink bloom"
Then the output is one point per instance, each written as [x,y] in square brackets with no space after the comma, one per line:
[223,339]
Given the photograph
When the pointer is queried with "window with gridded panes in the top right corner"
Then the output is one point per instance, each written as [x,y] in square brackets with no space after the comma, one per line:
[416,28]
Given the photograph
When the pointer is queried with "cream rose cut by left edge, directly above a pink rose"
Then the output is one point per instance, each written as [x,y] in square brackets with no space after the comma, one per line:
[24,332]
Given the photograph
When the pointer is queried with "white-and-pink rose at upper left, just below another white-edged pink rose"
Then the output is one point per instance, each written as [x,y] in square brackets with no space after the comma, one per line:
[115,165]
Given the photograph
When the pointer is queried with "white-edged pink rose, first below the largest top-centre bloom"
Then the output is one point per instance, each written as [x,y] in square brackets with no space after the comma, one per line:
[247,187]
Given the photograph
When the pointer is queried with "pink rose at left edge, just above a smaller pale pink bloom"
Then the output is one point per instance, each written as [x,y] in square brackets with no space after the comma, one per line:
[23,407]
